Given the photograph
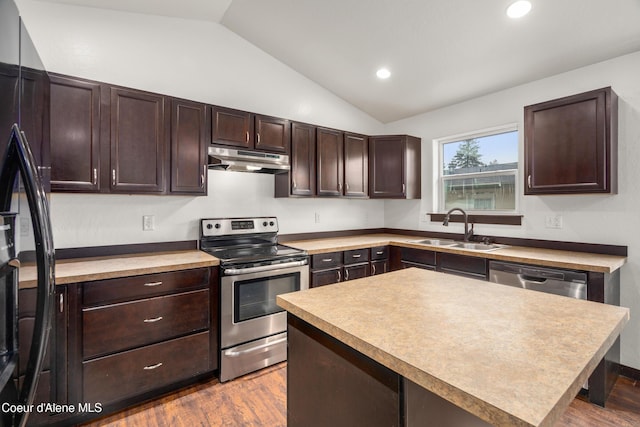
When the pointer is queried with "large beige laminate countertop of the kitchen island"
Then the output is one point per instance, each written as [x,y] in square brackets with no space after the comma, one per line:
[508,355]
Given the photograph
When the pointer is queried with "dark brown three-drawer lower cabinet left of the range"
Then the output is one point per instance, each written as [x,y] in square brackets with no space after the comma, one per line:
[136,337]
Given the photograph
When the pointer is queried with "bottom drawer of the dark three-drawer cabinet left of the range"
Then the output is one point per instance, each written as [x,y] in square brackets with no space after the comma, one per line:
[134,372]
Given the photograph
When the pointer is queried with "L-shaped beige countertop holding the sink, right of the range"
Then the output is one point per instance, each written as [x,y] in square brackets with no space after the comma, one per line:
[543,257]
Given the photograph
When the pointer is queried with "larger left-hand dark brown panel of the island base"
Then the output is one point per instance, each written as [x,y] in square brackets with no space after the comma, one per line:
[331,384]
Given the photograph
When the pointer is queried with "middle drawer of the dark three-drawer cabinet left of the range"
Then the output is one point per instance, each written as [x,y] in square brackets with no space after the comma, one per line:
[117,327]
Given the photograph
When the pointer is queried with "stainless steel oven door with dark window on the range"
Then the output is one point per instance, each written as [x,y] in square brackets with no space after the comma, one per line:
[248,308]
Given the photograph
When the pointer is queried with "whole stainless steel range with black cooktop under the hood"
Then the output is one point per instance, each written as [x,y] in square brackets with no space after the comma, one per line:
[254,268]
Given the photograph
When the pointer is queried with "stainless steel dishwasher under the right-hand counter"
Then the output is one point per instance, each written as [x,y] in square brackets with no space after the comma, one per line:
[567,283]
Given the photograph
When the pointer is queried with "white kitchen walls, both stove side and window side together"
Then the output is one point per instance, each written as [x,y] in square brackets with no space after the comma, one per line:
[205,62]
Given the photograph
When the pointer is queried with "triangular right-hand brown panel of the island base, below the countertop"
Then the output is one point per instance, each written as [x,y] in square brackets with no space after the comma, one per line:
[421,405]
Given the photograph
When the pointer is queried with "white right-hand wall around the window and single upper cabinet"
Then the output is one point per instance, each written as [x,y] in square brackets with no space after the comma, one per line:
[607,219]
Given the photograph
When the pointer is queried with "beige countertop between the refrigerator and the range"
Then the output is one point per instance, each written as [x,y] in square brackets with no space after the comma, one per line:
[89,269]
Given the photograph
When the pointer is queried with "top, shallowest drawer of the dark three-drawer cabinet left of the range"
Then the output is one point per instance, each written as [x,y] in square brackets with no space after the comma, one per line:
[127,288]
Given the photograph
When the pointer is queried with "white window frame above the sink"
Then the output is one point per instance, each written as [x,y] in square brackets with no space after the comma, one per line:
[440,178]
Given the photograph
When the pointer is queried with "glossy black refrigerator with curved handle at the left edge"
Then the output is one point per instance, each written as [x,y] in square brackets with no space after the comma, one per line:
[23,206]
